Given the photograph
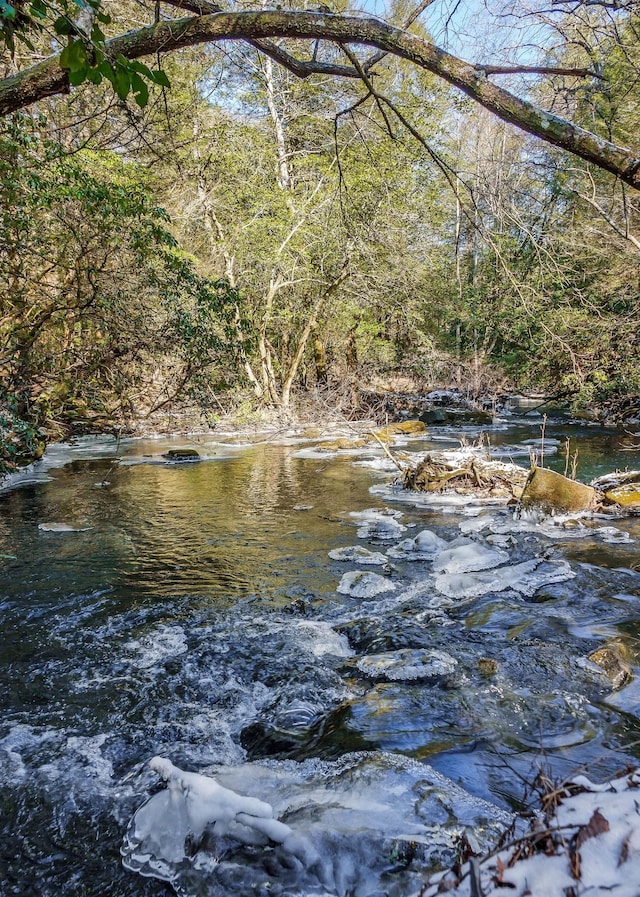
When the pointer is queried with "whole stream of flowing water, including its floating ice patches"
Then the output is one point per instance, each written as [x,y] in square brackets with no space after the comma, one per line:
[192,611]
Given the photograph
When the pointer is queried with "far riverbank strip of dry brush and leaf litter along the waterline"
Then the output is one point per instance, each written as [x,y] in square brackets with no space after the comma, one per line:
[23,440]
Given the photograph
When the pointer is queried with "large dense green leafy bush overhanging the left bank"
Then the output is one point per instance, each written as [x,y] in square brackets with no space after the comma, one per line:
[94,289]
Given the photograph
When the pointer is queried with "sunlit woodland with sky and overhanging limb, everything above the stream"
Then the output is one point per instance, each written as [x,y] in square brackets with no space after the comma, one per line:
[276,208]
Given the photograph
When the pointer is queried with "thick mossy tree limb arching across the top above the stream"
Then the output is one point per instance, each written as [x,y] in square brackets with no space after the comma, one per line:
[48,78]
